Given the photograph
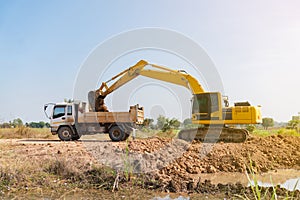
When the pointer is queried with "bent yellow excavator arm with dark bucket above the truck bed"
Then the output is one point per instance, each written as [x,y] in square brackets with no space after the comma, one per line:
[143,68]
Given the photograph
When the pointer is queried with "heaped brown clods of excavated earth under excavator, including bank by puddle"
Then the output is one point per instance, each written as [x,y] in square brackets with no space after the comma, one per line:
[174,163]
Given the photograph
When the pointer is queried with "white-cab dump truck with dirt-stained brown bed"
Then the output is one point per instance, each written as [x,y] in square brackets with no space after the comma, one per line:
[72,120]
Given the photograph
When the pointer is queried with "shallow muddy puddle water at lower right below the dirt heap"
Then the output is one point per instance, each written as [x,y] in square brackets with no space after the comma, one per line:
[286,178]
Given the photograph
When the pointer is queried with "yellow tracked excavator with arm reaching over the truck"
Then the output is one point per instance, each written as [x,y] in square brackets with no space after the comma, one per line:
[215,121]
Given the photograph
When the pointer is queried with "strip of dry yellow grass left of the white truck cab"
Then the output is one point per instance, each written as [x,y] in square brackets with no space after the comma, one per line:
[25,132]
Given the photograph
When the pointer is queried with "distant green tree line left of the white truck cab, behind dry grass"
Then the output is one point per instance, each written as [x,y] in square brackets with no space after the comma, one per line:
[19,123]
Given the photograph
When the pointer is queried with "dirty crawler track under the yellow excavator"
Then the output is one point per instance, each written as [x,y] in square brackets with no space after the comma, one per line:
[214,134]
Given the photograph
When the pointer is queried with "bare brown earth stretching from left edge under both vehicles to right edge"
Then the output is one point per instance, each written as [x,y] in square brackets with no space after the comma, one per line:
[173,164]
